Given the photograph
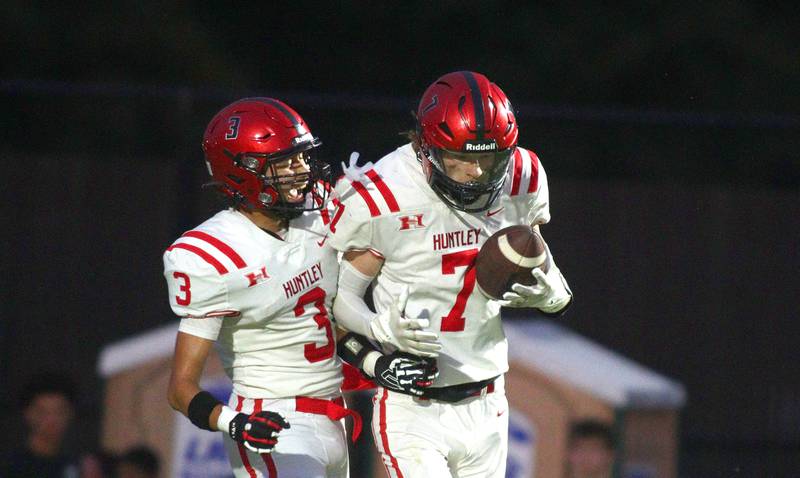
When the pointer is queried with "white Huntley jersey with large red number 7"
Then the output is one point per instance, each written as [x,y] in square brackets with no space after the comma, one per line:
[431,248]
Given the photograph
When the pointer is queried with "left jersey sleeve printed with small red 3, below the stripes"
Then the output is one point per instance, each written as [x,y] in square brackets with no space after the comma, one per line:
[197,293]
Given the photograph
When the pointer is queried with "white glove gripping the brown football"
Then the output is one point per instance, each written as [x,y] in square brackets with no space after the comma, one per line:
[550,294]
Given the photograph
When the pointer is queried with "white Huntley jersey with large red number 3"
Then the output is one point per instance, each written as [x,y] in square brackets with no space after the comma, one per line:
[264,300]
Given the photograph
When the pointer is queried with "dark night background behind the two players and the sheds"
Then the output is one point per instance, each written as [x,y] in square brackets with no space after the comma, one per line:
[670,133]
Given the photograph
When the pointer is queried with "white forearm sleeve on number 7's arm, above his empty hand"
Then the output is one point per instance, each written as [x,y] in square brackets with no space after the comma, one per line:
[349,308]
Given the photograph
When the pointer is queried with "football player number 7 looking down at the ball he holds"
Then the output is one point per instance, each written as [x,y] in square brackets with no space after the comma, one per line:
[412,226]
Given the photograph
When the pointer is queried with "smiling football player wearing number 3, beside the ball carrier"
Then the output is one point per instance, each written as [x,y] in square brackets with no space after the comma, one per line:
[258,279]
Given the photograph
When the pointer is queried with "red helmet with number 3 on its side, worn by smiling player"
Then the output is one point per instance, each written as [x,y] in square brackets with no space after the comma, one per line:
[243,142]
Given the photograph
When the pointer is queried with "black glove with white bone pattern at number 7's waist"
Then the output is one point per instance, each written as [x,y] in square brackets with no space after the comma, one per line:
[405,373]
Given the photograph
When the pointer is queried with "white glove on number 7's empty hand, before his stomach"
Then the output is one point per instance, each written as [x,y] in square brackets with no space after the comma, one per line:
[390,327]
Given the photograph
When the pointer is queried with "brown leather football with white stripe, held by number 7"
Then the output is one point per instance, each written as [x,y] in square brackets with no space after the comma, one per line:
[507,258]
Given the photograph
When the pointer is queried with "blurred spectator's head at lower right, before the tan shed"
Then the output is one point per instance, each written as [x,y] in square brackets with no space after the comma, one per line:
[591,450]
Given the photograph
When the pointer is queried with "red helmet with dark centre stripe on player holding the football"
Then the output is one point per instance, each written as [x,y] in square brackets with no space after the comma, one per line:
[463,113]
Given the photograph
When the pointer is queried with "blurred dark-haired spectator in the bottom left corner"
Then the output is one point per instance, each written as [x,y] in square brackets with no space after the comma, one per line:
[48,406]
